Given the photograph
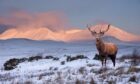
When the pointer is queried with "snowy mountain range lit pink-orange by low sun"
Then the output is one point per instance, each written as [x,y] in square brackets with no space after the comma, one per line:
[65,36]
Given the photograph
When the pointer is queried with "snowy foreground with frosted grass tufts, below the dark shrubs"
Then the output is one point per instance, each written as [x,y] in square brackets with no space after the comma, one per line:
[70,70]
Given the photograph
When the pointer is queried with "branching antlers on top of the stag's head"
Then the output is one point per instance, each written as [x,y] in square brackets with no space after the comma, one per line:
[99,26]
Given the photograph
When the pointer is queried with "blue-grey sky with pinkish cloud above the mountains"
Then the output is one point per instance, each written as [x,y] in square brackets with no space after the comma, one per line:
[124,14]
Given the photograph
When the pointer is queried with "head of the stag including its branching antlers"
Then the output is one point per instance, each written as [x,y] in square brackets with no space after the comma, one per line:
[100,33]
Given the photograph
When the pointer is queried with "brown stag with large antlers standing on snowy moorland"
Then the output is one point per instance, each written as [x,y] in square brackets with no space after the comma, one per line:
[105,49]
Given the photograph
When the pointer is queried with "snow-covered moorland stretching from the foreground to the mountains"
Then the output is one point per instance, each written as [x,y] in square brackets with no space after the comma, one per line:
[48,71]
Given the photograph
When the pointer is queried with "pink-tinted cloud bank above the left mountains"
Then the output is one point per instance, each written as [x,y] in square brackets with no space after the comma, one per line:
[22,20]
